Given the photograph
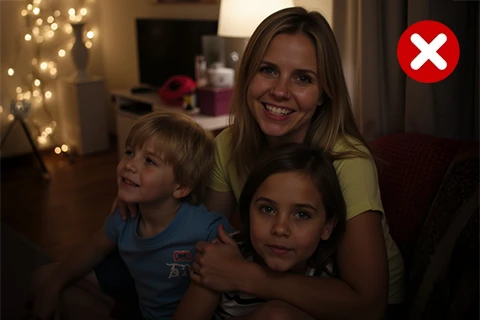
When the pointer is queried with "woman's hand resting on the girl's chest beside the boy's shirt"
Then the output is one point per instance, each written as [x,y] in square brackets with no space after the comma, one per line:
[217,265]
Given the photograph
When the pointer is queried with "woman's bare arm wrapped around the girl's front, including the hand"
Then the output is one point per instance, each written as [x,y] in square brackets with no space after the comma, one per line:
[361,291]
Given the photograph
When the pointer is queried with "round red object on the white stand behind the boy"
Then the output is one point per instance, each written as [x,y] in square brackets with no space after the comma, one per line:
[173,90]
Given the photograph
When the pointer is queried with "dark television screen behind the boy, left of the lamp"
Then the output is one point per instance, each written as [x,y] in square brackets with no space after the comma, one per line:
[168,47]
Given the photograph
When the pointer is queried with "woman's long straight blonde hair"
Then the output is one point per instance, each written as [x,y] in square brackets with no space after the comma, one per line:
[333,118]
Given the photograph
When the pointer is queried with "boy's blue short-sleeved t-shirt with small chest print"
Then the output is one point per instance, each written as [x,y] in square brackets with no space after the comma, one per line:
[160,264]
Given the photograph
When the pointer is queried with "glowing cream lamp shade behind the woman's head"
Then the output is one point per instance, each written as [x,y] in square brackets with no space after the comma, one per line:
[239,18]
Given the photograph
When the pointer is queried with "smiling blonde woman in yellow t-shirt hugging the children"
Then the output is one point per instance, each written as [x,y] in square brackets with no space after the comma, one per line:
[290,87]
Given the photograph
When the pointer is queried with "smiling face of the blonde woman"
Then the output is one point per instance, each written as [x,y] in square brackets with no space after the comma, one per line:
[284,93]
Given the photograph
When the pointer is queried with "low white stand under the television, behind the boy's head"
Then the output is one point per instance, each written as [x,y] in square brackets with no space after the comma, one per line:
[131,106]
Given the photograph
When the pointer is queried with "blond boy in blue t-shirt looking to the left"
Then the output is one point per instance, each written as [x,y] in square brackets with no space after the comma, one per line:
[167,161]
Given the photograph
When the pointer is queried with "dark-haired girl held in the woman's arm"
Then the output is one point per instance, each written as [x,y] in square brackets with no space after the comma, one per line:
[293,216]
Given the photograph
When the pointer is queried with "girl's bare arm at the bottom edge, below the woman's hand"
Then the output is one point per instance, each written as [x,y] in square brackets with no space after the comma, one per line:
[198,303]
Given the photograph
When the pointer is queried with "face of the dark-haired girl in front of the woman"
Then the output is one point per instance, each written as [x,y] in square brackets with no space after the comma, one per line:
[287,221]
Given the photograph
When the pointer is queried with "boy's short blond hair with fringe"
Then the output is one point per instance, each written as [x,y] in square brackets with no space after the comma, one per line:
[182,143]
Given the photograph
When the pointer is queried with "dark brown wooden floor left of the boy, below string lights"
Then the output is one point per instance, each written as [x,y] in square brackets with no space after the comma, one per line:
[59,214]
